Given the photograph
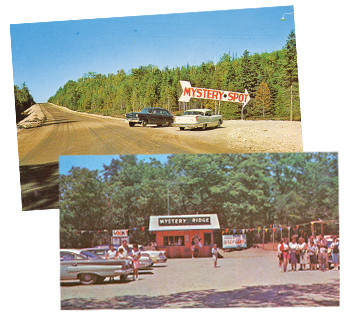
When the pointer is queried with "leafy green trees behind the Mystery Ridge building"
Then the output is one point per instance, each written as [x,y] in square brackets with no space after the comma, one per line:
[247,191]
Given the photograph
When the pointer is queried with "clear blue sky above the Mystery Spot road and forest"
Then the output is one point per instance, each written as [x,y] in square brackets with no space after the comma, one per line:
[51,45]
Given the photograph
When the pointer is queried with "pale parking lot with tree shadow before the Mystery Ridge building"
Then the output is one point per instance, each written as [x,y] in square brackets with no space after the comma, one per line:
[247,279]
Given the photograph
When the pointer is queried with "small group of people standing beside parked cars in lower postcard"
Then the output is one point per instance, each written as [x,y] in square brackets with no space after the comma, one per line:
[125,253]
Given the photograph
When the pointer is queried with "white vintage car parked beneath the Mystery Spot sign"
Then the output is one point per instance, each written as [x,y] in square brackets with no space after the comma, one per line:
[198,118]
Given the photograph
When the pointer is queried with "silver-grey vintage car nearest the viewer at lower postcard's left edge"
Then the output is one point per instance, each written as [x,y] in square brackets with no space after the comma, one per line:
[74,264]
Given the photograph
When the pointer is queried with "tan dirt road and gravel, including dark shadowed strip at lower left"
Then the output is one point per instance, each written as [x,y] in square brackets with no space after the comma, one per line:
[35,152]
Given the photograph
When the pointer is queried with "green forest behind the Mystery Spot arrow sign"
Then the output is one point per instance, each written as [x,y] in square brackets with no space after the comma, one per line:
[270,79]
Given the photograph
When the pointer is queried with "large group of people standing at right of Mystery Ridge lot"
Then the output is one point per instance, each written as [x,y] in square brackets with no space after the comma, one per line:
[314,252]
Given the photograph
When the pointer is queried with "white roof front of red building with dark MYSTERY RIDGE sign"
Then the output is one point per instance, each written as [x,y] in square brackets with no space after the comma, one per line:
[183,222]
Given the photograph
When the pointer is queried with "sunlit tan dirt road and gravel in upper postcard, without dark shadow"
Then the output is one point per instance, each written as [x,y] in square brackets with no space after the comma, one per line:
[70,133]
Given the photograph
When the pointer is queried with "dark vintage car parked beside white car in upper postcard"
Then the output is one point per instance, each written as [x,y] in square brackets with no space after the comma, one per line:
[151,115]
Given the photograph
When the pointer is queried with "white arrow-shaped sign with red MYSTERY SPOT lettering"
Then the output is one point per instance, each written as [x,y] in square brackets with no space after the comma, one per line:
[212,94]
